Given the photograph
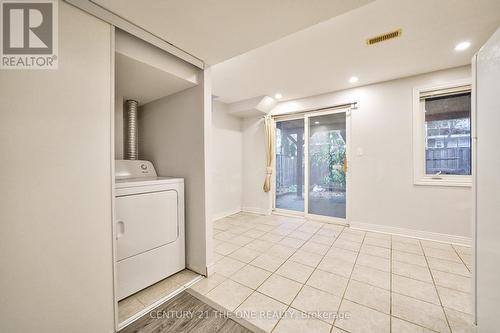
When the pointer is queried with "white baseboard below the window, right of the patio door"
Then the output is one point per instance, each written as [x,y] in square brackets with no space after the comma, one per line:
[420,234]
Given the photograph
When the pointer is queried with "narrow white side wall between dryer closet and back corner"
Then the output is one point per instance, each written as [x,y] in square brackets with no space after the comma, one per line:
[227,162]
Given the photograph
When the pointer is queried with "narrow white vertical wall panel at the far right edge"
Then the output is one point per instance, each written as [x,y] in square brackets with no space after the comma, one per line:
[488,185]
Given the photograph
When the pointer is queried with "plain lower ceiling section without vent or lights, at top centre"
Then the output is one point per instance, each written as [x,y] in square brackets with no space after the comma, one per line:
[216,30]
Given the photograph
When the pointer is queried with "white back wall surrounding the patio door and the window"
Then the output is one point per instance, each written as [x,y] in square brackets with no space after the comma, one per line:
[382,189]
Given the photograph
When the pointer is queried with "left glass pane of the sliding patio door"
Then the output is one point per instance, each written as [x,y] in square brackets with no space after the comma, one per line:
[289,194]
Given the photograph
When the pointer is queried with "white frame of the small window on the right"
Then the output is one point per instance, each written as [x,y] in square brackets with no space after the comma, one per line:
[419,176]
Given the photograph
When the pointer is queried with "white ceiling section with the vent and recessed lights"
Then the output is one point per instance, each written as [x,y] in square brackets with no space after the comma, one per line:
[323,57]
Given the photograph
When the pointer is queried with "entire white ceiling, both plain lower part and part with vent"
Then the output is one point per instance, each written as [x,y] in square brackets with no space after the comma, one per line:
[301,48]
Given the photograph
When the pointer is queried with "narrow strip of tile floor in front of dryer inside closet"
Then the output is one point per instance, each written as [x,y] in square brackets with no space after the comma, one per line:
[137,302]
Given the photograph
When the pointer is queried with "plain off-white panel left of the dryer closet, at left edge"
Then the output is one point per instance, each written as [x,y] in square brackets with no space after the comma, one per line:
[55,212]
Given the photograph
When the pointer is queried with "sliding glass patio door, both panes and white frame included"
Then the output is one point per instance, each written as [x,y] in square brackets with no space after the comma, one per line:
[311,160]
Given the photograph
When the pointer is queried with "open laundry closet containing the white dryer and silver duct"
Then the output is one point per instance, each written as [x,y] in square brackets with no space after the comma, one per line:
[159,187]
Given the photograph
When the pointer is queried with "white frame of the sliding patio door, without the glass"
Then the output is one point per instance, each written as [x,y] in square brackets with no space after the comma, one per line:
[305,116]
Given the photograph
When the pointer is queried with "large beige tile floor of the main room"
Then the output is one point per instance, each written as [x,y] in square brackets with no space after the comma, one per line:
[288,274]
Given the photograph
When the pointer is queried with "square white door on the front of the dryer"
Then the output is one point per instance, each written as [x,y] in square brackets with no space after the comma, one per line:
[145,221]
